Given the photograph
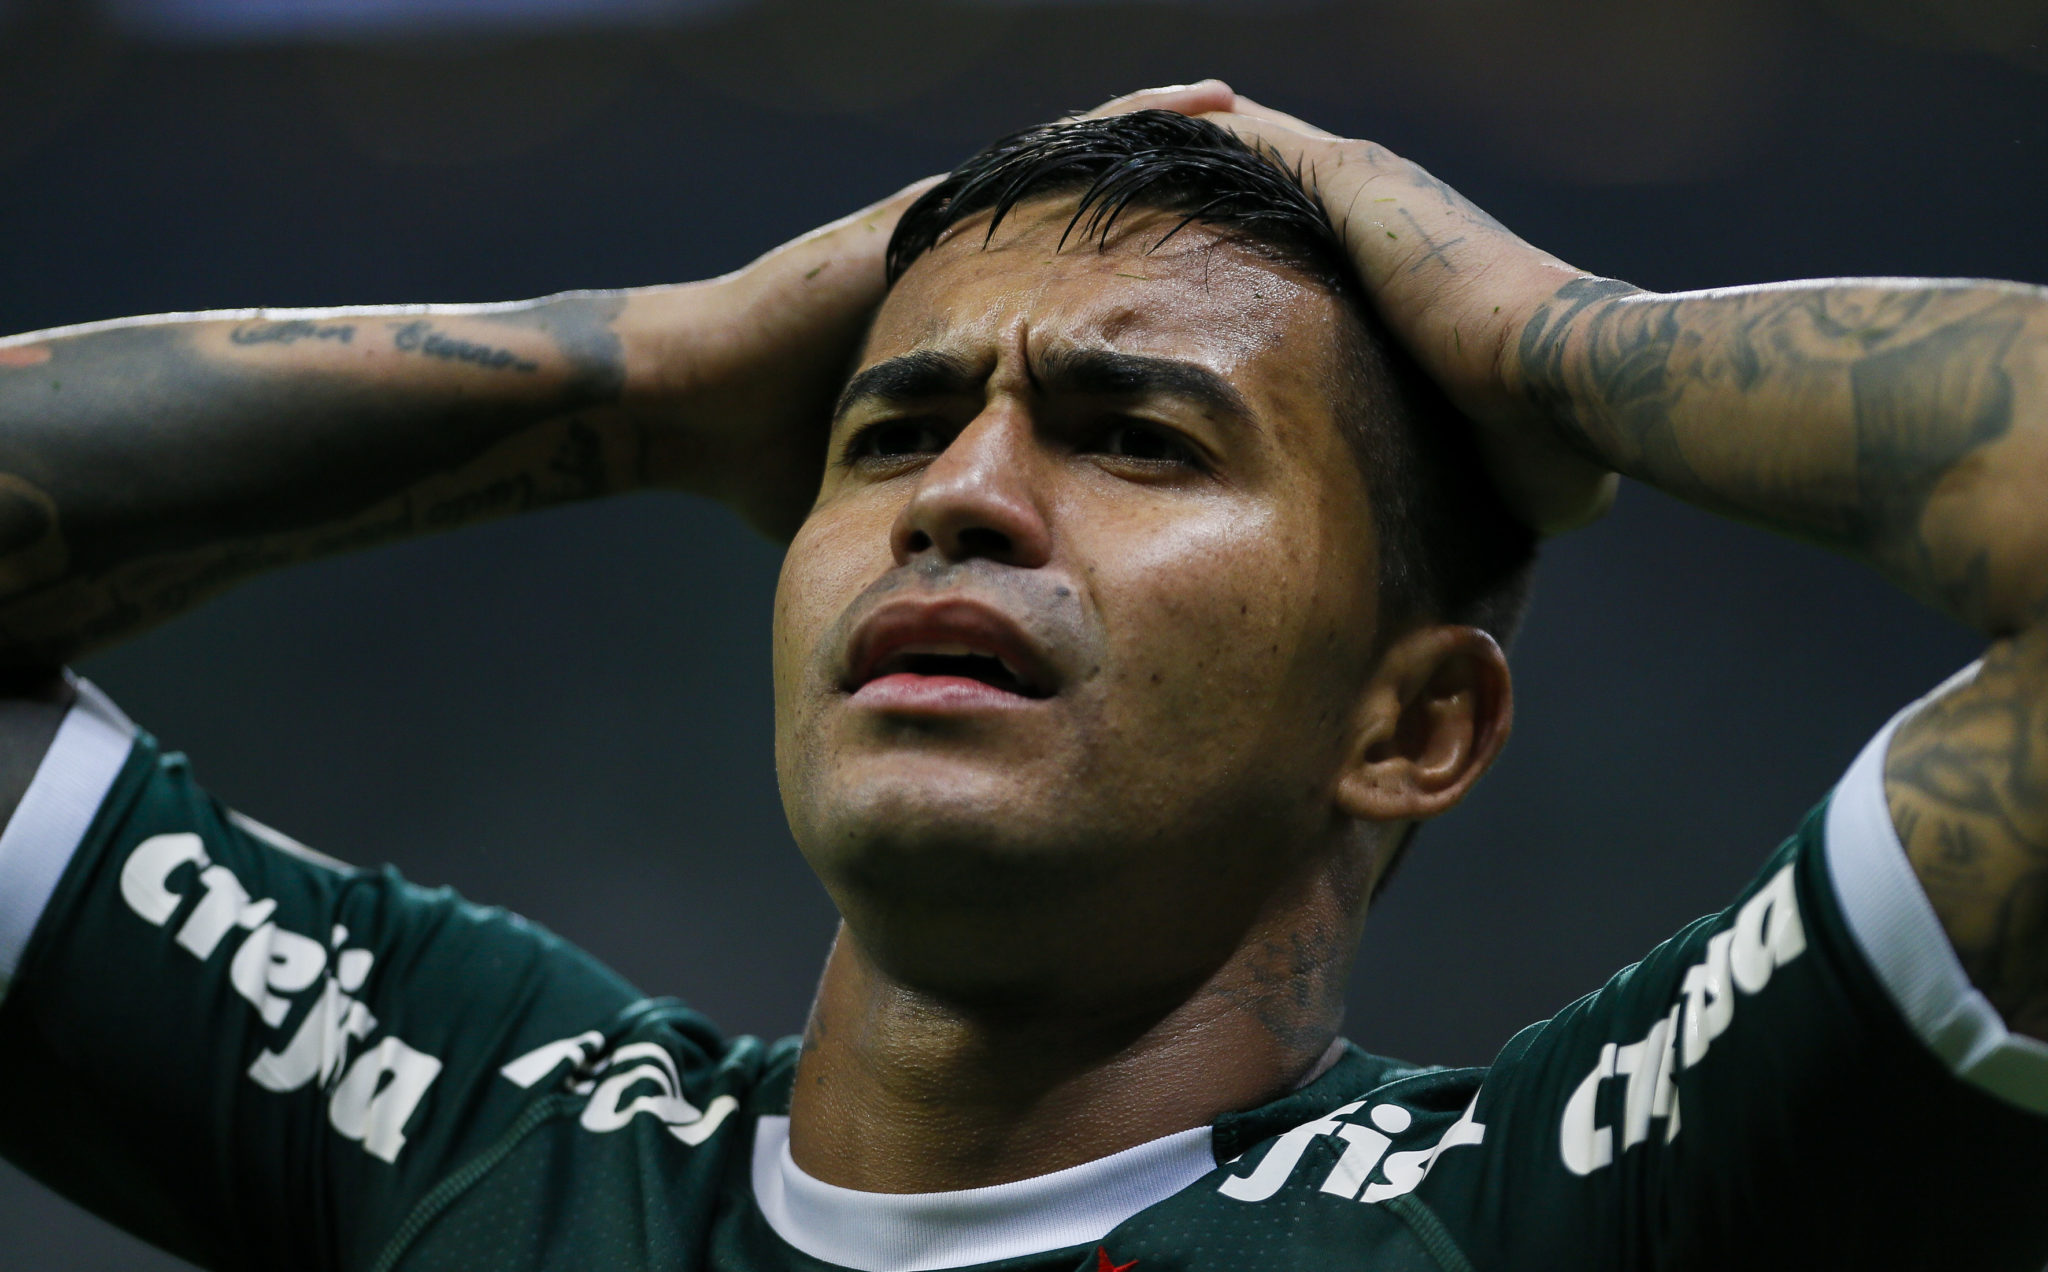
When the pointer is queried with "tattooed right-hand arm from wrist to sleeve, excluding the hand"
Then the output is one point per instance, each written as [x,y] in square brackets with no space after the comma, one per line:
[1904,423]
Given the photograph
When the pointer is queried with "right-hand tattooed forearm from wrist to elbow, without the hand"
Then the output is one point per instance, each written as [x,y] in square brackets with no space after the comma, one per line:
[1897,421]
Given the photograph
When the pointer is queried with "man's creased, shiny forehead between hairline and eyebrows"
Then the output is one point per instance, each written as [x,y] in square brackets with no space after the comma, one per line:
[1197,296]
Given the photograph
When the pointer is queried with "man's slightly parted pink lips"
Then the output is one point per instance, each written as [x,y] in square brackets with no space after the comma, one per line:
[943,628]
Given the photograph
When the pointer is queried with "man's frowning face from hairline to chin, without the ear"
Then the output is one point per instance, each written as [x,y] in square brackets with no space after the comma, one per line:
[1084,607]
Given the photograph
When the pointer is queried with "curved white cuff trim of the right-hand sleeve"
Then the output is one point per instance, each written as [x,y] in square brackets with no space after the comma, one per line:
[1904,939]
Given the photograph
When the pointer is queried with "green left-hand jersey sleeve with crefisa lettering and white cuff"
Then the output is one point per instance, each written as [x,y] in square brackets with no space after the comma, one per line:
[232,1046]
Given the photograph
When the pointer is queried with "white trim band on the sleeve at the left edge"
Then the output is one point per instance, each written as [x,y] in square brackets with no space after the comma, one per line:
[54,814]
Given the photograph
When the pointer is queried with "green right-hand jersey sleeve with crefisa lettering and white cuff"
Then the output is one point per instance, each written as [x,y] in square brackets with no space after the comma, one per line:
[1803,1080]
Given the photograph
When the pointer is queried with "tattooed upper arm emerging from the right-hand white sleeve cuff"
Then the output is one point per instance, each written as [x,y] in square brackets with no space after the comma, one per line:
[1967,781]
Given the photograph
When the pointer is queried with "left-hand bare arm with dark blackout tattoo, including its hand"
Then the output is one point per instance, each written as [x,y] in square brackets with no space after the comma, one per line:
[148,464]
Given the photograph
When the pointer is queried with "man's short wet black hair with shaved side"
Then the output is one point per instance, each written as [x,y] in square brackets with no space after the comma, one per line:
[1449,548]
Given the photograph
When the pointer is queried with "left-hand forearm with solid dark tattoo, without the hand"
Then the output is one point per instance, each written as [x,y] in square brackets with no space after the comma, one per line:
[148,464]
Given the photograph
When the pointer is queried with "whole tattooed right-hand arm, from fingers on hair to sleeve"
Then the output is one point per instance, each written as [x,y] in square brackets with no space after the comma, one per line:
[1900,421]
